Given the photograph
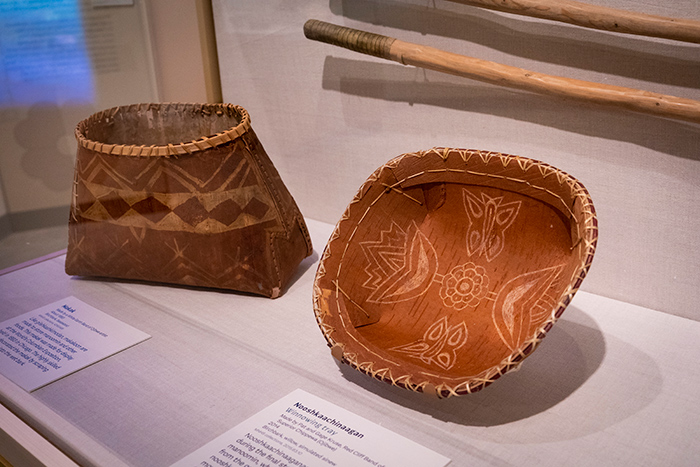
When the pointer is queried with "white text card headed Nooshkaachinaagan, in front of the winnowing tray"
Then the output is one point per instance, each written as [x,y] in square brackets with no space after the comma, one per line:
[304,430]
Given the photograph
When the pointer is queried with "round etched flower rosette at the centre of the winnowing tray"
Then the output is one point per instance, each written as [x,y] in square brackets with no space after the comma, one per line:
[464,286]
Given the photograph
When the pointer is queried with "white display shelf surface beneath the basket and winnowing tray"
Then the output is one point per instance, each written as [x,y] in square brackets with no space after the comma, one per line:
[612,384]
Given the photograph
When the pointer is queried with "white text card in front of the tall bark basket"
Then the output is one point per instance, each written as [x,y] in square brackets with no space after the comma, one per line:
[43,345]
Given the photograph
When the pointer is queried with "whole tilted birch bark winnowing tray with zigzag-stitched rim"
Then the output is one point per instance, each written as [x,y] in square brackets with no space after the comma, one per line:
[449,267]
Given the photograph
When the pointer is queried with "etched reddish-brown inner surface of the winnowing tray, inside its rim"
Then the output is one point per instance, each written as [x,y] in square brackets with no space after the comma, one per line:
[458,282]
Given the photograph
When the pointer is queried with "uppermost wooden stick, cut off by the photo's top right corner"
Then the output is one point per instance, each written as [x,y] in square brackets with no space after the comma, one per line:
[598,17]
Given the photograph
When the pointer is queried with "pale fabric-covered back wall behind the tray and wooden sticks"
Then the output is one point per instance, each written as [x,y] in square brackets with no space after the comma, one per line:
[328,117]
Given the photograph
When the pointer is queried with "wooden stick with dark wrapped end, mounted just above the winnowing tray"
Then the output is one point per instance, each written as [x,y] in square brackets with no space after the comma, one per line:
[430,58]
